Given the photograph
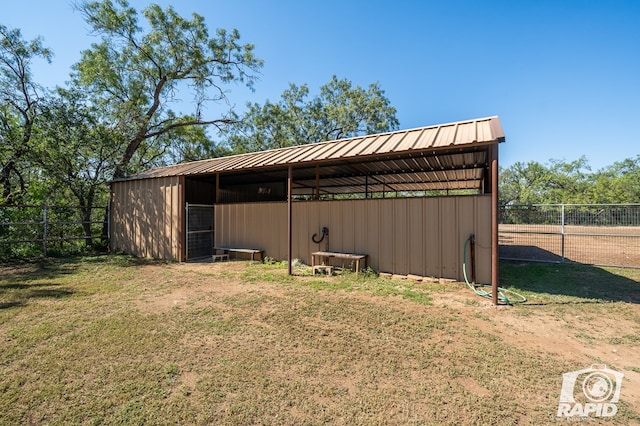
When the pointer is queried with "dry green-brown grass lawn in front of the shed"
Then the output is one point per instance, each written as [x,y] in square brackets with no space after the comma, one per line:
[118,340]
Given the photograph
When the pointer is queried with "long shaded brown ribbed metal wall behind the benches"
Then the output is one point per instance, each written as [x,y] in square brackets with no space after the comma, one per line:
[421,236]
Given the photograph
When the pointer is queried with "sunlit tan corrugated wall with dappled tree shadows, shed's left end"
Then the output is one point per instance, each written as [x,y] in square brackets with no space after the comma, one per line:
[146,217]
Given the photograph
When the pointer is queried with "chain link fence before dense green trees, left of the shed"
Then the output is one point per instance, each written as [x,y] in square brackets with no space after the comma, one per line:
[28,230]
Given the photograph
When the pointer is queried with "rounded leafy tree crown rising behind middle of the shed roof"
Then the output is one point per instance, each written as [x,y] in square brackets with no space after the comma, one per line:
[339,111]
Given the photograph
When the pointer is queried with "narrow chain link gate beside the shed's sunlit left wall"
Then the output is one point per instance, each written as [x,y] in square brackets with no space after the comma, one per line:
[199,230]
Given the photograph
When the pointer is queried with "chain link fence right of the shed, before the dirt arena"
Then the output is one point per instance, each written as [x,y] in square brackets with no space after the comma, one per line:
[597,234]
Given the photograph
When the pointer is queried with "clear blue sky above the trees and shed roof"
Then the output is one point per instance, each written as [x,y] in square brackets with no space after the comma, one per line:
[563,75]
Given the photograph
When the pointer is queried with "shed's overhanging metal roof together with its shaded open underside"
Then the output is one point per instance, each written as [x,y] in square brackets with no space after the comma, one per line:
[452,156]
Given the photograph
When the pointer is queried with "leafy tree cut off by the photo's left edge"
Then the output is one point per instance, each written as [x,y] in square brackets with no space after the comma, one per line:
[19,100]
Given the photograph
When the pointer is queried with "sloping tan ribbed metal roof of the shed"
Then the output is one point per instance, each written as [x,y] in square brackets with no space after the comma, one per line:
[406,154]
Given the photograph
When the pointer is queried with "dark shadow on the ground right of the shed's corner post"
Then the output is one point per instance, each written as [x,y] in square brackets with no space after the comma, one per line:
[581,283]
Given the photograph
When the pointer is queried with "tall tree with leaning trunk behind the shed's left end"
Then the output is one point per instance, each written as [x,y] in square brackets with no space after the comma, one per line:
[137,73]
